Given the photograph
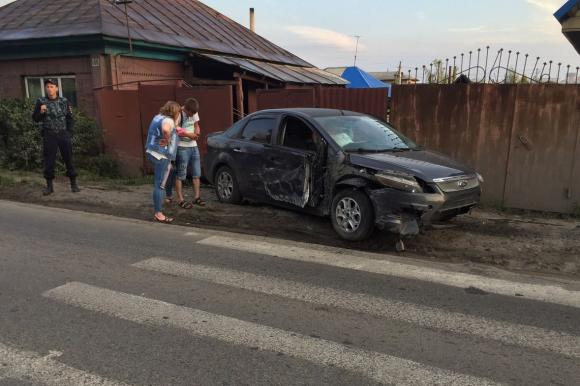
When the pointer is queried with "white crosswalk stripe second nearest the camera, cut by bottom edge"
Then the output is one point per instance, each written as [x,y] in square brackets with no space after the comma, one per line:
[377,366]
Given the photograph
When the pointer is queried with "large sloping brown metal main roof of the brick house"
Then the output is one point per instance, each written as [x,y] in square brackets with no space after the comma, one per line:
[186,24]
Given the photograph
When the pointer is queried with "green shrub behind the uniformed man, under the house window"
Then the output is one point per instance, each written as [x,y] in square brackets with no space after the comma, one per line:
[21,143]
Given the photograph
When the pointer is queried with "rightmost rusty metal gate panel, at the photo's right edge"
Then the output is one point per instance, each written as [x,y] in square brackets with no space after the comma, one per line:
[544,152]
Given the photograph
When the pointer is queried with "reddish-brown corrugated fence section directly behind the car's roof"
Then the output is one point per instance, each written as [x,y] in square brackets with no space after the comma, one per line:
[368,101]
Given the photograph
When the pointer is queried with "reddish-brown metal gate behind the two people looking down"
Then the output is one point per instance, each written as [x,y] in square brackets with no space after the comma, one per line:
[125,117]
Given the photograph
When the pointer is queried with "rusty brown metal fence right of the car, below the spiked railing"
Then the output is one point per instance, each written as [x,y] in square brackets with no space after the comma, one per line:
[524,139]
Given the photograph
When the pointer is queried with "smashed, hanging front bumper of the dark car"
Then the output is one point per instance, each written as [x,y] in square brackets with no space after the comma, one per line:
[404,213]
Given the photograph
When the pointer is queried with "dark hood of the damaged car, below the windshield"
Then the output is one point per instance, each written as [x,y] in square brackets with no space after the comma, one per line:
[427,165]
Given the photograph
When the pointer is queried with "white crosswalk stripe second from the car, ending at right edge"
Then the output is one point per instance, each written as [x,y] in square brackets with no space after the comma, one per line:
[527,336]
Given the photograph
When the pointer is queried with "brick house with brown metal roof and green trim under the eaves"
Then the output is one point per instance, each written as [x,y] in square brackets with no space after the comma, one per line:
[94,44]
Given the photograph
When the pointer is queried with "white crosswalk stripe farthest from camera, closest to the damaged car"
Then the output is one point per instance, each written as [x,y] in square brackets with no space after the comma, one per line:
[545,293]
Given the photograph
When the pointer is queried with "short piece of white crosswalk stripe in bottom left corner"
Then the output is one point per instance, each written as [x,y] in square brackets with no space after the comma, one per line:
[28,366]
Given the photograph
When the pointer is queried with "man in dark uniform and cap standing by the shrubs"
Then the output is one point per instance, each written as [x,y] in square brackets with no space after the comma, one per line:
[54,115]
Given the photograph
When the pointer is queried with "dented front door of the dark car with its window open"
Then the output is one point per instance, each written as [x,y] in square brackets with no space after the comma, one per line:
[294,164]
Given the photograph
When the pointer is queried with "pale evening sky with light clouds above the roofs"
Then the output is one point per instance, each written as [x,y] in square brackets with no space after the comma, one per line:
[413,32]
